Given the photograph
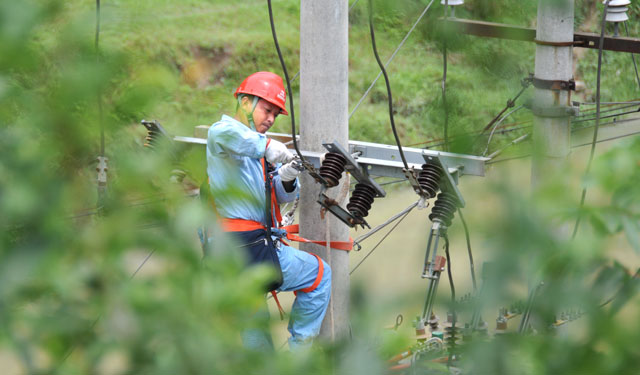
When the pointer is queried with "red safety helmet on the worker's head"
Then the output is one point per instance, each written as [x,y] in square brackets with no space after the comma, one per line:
[267,86]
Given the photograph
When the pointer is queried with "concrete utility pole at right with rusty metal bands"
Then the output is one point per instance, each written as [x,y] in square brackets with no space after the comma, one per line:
[554,62]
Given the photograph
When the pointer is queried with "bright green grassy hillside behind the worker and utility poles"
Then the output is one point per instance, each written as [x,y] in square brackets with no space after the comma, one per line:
[200,50]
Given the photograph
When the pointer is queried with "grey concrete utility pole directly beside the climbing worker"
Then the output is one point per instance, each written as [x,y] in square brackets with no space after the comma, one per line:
[324,89]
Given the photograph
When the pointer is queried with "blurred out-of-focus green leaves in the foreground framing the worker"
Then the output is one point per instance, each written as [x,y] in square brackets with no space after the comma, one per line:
[123,288]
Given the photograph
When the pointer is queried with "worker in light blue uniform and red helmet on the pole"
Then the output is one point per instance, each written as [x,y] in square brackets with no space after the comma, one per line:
[236,150]
